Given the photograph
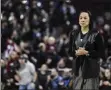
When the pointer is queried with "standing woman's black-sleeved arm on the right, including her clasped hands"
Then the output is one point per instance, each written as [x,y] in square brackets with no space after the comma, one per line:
[99,49]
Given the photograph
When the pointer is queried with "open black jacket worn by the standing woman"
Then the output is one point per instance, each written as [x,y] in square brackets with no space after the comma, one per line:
[96,49]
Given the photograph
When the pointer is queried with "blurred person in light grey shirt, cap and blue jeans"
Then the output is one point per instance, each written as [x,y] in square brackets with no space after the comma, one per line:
[26,74]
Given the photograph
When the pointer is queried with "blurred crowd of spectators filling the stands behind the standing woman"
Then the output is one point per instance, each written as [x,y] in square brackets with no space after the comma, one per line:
[34,44]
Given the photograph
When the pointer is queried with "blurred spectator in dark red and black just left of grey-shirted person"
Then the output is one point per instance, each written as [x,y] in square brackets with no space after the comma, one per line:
[12,65]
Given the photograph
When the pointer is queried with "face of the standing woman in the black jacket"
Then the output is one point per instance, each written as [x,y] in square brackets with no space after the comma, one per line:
[84,19]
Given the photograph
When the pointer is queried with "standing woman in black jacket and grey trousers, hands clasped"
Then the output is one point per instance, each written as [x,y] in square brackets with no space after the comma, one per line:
[86,46]
